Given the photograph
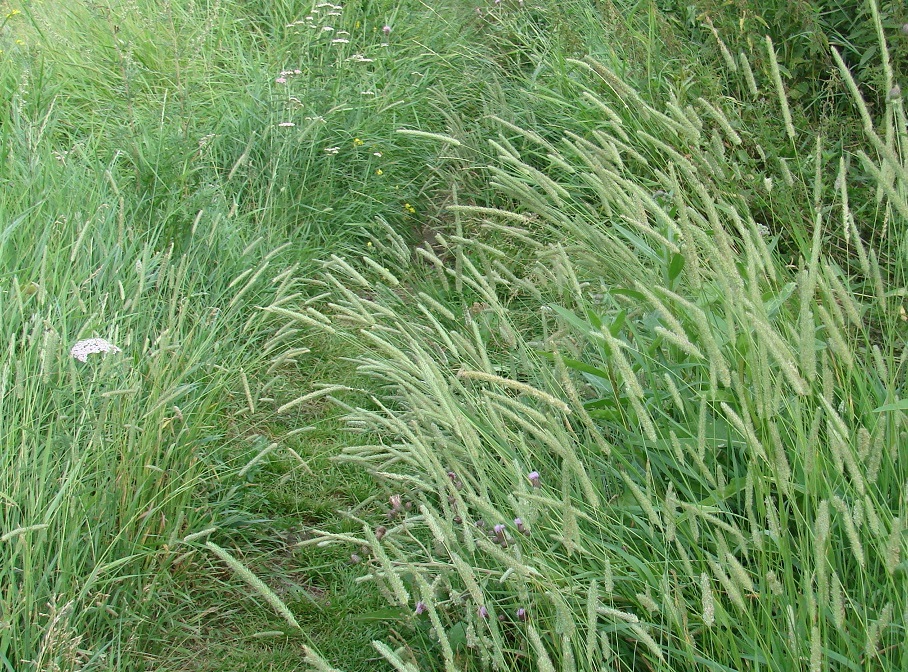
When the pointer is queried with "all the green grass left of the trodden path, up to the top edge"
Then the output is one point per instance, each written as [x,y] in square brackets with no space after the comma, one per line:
[169,170]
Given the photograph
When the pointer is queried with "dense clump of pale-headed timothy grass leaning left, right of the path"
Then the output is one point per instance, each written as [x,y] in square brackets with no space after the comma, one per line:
[622,428]
